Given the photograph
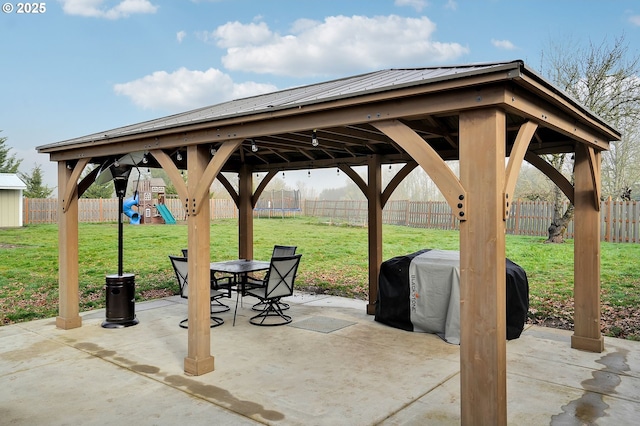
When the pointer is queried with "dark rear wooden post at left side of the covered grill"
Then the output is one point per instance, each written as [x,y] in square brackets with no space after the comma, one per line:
[374,198]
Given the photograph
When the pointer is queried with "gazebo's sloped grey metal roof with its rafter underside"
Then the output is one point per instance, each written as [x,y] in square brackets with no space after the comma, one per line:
[290,148]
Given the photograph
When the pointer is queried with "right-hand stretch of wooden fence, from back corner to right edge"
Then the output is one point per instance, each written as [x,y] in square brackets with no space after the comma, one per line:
[620,220]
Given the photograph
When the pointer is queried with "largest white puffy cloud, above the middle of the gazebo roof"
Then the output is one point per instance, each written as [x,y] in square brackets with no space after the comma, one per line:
[337,45]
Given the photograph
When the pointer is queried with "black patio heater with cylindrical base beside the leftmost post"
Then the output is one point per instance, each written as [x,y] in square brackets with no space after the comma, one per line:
[120,288]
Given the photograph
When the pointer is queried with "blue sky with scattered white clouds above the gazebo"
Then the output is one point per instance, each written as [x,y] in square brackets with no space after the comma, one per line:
[84,66]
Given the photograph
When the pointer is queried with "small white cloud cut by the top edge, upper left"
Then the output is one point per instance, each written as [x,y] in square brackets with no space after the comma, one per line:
[96,9]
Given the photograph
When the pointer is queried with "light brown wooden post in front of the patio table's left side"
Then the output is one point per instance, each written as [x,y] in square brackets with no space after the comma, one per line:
[199,359]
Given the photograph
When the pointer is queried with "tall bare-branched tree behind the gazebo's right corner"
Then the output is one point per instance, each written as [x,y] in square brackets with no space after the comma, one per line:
[605,79]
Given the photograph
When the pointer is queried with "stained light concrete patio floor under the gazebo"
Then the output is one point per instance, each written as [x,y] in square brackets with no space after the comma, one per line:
[334,365]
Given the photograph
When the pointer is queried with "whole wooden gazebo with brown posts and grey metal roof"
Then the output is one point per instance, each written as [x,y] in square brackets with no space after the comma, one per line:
[478,114]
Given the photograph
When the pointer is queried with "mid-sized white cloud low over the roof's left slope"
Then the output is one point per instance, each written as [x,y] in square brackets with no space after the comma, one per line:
[186,89]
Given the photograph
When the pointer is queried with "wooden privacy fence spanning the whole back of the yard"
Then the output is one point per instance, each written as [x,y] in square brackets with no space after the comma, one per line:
[620,220]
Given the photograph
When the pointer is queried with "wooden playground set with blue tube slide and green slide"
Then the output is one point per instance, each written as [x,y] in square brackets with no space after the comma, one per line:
[149,199]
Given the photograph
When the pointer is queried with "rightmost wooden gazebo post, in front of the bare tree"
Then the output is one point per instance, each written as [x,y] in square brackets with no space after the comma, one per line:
[586,287]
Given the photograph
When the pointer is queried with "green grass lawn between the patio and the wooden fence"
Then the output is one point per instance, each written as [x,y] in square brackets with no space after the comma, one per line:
[334,261]
